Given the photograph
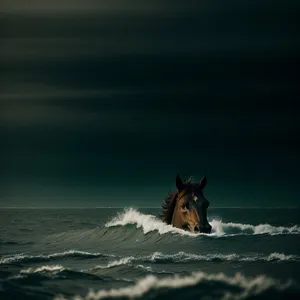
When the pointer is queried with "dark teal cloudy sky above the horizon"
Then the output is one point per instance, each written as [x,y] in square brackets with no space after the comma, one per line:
[102,103]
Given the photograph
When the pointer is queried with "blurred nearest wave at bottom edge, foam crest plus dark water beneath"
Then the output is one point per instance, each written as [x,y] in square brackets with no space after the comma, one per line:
[200,283]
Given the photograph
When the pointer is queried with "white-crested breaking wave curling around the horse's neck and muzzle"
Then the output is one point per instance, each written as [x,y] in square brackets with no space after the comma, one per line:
[150,223]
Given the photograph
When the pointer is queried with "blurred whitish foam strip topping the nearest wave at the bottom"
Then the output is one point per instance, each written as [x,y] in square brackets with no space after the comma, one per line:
[247,286]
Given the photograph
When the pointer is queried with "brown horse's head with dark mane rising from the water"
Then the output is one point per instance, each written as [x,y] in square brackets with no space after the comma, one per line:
[187,208]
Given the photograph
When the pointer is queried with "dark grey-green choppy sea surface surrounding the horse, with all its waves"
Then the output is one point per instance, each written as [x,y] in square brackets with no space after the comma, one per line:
[104,253]
